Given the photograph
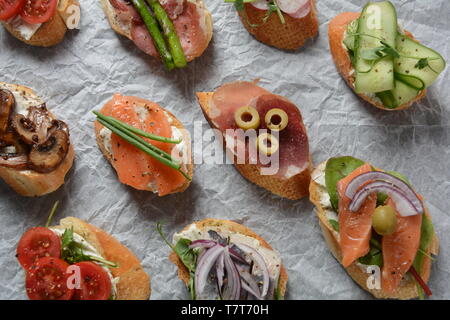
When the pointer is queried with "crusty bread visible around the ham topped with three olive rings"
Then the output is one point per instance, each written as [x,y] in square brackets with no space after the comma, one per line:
[294,188]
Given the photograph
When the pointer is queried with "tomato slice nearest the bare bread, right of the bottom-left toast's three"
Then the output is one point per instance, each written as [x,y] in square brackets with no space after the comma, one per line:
[95,282]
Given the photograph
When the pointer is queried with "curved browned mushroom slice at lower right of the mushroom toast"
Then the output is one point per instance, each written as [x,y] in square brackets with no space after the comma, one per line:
[48,156]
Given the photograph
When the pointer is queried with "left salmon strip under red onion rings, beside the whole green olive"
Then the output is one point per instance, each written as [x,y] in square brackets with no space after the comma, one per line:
[355,228]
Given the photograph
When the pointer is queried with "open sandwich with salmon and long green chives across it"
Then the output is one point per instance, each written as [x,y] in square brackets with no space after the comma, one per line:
[147,146]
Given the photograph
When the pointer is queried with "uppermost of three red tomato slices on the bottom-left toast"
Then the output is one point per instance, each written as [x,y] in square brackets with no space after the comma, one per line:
[36,243]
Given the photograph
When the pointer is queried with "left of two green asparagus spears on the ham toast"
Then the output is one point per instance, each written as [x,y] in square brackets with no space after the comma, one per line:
[155,33]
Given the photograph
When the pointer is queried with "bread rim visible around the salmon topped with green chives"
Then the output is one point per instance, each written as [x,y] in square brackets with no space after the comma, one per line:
[186,137]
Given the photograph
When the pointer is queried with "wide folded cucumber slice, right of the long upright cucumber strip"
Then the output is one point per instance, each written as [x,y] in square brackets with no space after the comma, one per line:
[411,52]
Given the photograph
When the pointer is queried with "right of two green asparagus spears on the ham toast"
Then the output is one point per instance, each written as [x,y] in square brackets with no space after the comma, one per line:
[169,32]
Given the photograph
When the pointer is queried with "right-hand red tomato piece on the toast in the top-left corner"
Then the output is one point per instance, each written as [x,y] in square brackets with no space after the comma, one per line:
[38,11]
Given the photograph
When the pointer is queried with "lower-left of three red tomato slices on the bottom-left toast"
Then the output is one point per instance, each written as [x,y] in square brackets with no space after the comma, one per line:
[47,280]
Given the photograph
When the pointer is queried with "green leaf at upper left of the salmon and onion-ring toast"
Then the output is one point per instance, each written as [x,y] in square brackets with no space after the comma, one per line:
[335,170]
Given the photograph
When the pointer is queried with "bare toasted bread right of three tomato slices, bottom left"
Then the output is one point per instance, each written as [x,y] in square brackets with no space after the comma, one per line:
[134,283]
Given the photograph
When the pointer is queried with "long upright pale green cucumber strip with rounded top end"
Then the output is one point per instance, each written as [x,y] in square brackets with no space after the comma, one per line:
[378,21]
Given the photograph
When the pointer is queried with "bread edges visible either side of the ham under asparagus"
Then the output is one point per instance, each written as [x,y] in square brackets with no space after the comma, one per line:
[125,30]
